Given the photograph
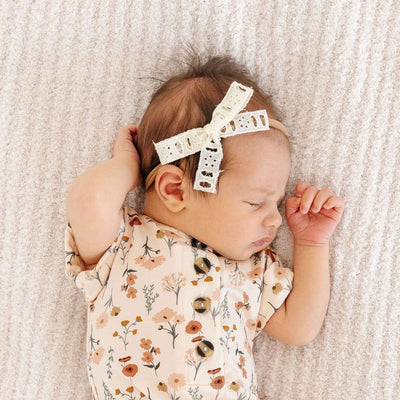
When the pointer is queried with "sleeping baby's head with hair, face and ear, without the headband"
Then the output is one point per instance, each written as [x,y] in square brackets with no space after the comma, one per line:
[242,217]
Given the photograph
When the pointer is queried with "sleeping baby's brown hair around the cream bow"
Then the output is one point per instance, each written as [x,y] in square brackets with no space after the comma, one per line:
[186,101]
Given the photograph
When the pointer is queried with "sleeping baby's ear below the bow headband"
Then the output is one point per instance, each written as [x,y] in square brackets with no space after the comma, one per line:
[170,188]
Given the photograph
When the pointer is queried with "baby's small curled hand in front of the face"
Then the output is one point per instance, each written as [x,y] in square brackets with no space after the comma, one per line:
[313,214]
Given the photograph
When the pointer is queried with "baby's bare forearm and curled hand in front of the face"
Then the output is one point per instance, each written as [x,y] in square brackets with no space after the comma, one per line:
[312,217]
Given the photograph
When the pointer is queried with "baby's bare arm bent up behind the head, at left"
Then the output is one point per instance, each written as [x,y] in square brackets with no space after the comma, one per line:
[95,198]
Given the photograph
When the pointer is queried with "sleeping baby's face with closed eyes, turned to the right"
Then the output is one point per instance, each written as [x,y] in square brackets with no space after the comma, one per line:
[243,217]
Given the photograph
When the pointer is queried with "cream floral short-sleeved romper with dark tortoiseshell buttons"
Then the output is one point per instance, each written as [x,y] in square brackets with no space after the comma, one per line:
[170,319]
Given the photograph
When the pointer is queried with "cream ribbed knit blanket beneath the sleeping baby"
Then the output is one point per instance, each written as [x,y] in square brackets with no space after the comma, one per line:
[73,72]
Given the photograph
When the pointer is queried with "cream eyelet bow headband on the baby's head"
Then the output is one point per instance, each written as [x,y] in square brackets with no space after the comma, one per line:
[226,121]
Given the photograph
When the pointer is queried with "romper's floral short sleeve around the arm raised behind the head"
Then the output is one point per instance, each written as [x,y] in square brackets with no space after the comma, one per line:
[88,278]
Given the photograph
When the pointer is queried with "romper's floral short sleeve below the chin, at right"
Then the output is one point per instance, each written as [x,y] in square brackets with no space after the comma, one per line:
[277,284]
